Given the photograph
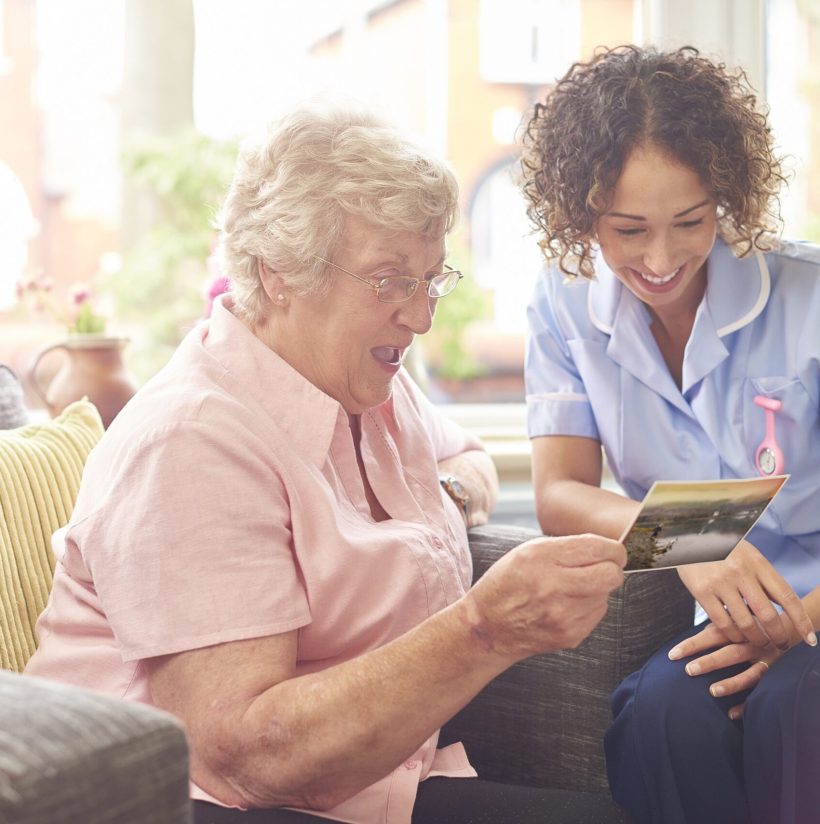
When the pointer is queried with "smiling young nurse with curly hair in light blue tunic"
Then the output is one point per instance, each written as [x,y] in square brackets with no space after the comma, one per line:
[673,329]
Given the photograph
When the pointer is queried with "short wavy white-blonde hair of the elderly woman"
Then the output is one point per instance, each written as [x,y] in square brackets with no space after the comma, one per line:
[293,188]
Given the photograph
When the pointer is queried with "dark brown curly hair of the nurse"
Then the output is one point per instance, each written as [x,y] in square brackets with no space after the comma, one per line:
[702,114]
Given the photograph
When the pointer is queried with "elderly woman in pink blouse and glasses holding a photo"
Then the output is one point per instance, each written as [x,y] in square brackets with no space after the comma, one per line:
[262,544]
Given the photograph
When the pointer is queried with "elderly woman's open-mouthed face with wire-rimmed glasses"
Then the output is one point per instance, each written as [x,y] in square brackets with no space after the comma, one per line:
[347,342]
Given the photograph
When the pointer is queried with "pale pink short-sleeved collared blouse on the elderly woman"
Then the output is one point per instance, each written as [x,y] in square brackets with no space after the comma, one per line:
[225,503]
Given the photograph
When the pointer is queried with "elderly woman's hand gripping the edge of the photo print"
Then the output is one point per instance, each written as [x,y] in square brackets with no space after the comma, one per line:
[546,594]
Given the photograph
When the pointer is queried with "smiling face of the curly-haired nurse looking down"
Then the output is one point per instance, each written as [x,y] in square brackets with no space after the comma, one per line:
[658,231]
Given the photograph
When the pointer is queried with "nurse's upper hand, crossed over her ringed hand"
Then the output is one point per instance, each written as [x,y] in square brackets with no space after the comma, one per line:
[739,594]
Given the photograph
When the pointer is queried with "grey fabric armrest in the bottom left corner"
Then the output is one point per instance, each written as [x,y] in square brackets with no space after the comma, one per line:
[69,755]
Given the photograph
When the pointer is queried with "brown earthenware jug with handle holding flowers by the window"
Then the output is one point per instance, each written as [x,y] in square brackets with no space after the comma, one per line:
[94,369]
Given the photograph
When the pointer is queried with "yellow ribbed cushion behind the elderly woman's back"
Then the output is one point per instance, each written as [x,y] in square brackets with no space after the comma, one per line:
[40,469]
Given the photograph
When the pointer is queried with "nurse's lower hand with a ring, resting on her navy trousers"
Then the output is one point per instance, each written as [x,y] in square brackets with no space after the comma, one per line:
[727,654]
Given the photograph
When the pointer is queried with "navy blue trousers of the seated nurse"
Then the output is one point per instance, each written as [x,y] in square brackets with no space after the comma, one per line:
[675,757]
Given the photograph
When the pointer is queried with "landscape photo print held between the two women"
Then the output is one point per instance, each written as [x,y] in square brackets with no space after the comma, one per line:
[688,522]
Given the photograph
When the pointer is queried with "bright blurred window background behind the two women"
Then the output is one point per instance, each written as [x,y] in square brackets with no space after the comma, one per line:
[119,122]
